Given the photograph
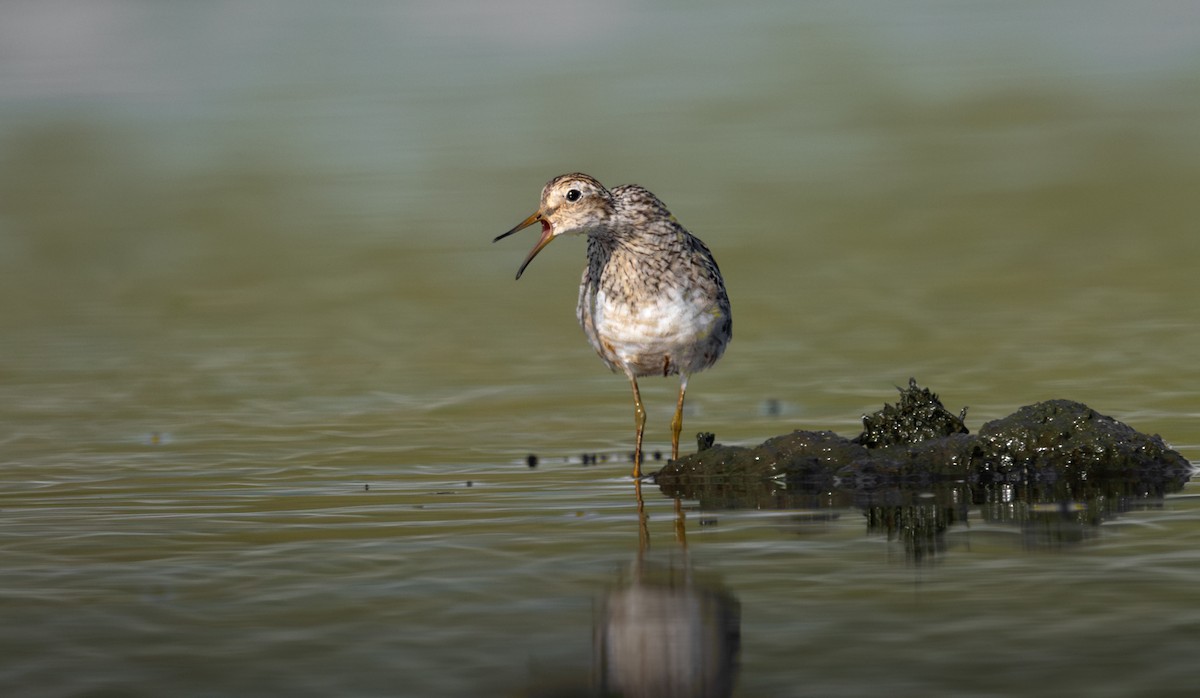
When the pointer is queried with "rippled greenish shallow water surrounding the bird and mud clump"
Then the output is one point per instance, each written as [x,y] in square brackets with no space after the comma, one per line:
[268,390]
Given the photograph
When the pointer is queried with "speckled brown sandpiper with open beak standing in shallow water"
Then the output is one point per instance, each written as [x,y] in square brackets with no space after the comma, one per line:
[652,299]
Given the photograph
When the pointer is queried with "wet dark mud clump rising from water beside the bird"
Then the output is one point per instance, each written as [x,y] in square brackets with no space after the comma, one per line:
[919,442]
